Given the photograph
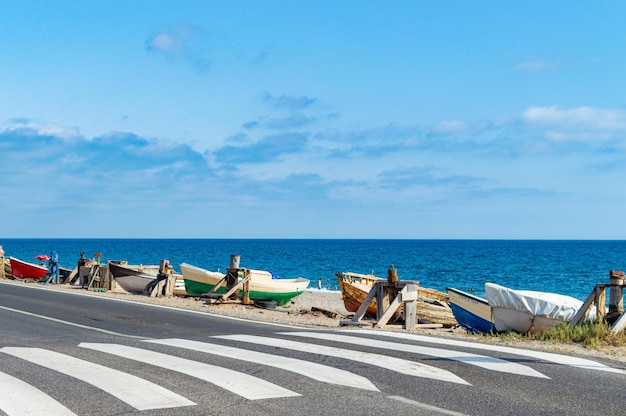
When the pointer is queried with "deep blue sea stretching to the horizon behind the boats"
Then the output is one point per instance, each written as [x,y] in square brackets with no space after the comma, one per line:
[566,267]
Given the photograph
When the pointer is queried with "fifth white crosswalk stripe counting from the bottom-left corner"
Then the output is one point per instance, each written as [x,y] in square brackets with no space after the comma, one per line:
[399,365]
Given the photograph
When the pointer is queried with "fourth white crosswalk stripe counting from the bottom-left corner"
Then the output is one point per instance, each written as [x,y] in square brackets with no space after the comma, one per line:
[319,372]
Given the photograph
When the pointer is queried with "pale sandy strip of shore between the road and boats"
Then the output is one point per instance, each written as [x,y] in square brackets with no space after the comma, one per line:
[324,310]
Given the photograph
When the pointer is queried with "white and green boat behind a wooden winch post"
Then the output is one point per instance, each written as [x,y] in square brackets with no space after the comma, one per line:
[262,286]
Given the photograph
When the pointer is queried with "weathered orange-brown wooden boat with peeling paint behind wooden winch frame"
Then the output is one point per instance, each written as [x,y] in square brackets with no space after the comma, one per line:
[432,305]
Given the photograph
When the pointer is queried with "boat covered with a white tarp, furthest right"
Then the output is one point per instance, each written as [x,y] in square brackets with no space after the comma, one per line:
[527,311]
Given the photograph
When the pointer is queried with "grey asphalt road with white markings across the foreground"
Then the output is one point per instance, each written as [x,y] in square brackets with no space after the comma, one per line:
[62,353]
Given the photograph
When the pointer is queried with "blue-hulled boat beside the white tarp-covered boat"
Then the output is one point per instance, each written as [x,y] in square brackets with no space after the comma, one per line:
[471,312]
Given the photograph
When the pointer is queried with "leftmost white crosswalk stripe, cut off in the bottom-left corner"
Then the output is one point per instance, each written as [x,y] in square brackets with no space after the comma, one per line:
[21,399]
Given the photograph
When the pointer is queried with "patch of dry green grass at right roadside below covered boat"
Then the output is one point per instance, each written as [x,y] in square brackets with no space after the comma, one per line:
[593,335]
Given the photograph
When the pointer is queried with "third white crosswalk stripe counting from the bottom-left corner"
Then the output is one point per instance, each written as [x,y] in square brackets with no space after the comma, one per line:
[244,385]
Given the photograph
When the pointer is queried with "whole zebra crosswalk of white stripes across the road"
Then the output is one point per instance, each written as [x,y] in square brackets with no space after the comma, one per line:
[21,398]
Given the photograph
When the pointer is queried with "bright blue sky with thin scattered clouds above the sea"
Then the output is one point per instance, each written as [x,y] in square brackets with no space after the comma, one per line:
[313,119]
